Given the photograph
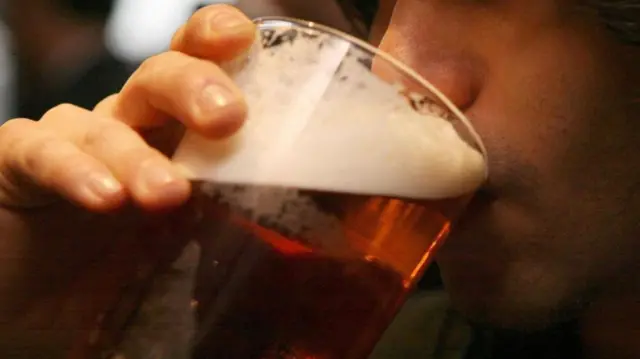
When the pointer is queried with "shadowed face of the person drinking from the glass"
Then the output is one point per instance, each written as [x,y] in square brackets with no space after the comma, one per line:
[556,99]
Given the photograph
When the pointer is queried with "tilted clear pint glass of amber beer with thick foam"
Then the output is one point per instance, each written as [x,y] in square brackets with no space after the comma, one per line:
[313,222]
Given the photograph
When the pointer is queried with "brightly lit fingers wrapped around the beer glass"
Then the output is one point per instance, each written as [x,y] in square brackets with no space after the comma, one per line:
[98,159]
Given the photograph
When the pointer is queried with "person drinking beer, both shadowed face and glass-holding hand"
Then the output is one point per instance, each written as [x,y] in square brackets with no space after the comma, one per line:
[550,85]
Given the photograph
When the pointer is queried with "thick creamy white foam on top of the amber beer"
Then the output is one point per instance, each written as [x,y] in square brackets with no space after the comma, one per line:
[319,119]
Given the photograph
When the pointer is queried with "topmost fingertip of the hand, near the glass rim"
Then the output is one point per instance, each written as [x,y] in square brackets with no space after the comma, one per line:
[217,32]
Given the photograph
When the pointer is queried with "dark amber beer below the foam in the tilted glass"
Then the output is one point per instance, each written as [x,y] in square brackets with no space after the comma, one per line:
[268,289]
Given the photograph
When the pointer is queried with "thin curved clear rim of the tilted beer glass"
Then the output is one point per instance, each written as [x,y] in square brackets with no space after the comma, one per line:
[406,70]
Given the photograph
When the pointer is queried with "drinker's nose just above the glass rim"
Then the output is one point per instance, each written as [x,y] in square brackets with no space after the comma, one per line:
[445,64]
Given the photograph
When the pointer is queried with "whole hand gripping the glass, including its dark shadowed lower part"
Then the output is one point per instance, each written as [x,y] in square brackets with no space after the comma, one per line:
[71,244]
